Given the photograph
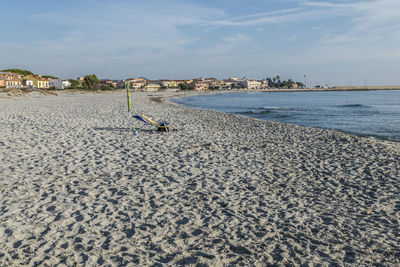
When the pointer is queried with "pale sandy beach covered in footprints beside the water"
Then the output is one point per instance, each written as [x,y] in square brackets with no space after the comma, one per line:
[78,188]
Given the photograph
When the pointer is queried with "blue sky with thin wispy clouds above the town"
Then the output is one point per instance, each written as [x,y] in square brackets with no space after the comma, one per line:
[352,42]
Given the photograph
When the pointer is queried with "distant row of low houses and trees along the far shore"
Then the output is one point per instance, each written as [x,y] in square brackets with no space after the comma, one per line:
[17,78]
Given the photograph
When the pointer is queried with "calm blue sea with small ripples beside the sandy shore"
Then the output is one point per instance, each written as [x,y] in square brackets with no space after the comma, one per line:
[365,113]
